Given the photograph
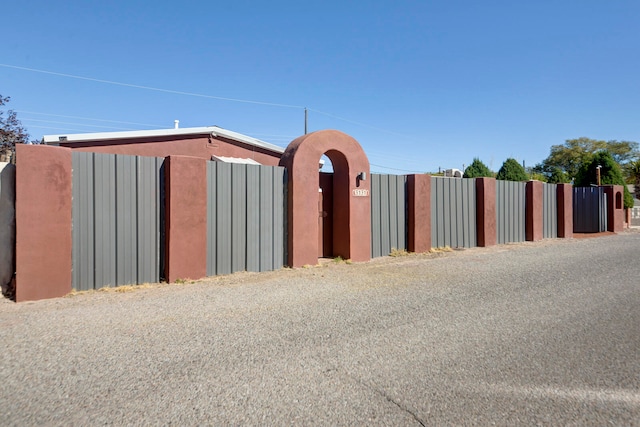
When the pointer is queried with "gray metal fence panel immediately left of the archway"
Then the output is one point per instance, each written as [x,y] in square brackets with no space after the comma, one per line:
[246,218]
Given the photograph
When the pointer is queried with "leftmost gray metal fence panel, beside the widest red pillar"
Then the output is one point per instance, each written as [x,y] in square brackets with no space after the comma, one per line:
[116,220]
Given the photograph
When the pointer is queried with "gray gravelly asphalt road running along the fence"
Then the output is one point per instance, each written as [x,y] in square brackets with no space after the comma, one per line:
[531,334]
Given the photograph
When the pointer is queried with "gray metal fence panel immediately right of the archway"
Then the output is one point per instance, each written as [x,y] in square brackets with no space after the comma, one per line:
[388,214]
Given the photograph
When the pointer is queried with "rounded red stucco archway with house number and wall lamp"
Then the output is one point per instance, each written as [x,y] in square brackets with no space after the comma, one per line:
[351,197]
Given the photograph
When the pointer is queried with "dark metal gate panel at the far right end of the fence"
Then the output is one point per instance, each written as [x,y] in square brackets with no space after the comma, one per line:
[589,210]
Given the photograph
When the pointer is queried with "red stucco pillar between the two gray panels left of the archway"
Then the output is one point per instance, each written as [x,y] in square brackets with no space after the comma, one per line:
[185,218]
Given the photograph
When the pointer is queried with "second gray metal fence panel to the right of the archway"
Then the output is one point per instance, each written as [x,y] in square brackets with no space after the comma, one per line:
[453,212]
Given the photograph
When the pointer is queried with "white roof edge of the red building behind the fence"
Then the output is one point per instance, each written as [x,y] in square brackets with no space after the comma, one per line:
[214,130]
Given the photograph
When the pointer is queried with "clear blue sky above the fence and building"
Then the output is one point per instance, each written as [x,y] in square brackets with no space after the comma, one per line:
[420,84]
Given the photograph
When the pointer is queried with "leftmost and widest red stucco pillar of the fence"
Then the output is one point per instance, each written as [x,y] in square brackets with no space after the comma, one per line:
[43,222]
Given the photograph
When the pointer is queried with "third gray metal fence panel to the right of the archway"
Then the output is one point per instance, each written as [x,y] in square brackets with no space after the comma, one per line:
[510,211]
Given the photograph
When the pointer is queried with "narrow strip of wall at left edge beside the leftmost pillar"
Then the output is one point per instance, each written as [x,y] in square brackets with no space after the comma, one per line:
[7,222]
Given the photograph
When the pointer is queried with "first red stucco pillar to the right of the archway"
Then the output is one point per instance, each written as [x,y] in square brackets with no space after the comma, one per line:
[419,215]
